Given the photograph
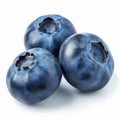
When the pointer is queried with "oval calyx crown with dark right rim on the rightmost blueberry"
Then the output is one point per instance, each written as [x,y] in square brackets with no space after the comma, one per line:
[98,52]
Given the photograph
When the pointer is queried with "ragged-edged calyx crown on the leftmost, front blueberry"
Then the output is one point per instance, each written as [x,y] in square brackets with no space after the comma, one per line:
[24,62]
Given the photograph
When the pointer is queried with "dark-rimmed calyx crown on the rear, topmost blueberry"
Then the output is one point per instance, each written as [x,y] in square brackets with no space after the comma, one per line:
[48,26]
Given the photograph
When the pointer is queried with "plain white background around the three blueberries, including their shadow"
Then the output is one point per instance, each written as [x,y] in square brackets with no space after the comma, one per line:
[101,17]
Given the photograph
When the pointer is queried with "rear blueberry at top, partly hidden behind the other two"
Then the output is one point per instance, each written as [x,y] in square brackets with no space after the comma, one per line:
[48,31]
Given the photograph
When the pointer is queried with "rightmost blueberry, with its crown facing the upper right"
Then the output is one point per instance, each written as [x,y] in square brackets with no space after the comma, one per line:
[86,62]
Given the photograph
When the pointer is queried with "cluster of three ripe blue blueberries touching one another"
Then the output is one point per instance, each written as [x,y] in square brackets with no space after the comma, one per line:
[54,47]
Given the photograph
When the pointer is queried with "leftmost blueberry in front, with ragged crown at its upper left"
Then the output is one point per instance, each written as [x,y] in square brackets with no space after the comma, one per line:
[33,76]
